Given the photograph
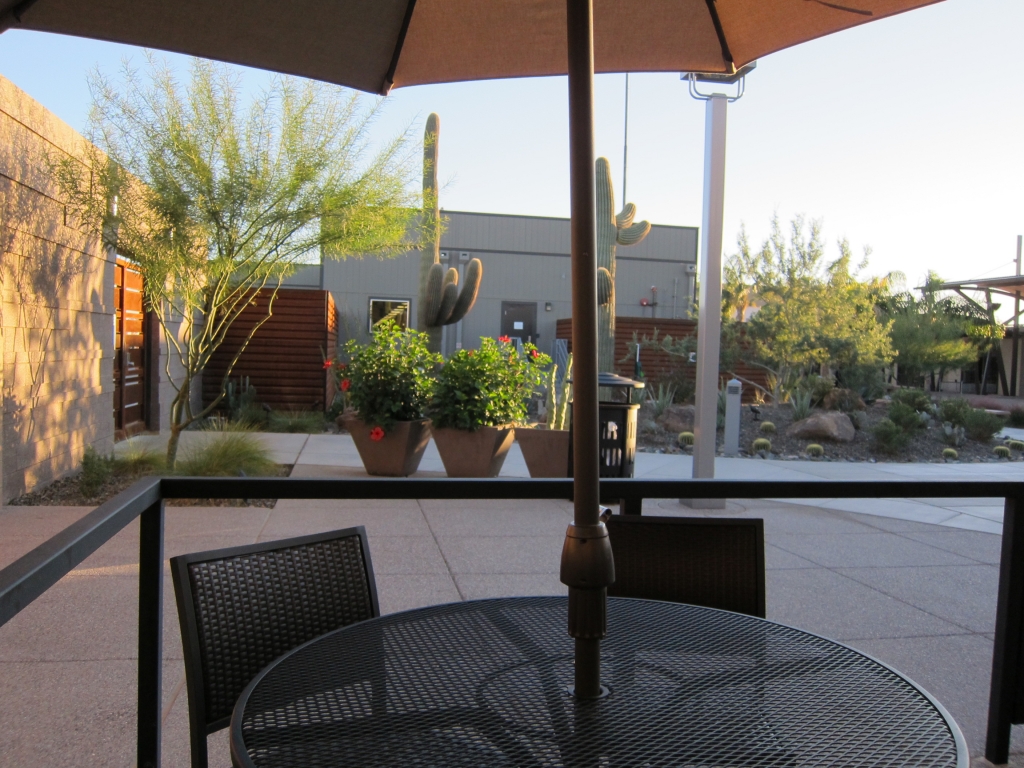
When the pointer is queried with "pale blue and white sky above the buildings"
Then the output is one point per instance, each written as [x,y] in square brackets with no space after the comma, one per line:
[904,136]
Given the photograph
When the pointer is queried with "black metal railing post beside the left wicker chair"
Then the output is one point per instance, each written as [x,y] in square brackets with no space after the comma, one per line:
[151,620]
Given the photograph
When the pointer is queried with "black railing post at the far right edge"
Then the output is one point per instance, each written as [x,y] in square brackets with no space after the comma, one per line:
[1006,686]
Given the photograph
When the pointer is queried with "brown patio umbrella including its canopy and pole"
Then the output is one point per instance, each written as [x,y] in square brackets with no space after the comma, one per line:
[374,46]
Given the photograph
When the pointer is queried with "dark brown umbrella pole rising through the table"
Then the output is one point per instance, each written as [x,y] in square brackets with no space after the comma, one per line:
[587,566]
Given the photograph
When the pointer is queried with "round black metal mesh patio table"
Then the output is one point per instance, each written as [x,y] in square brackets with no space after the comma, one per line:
[484,684]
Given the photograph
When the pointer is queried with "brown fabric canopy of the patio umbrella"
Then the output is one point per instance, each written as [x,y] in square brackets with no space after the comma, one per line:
[376,45]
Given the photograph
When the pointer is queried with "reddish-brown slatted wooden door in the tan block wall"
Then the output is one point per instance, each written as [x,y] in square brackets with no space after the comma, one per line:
[130,351]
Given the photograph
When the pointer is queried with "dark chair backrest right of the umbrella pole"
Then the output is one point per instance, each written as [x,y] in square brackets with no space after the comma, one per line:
[719,564]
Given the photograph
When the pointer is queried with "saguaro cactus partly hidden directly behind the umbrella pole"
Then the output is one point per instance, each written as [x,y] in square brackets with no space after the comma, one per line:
[612,231]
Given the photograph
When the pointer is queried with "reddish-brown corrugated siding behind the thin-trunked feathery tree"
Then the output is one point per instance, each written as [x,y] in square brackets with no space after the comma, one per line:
[284,360]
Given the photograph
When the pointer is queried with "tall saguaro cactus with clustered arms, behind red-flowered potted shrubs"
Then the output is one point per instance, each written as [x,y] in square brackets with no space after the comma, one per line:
[442,304]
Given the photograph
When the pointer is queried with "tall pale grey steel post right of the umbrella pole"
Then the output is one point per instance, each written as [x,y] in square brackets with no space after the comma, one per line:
[710,311]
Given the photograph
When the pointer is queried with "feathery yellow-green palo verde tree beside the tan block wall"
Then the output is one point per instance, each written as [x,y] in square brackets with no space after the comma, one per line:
[216,200]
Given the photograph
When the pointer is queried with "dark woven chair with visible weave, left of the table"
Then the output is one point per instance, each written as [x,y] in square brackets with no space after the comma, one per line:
[240,609]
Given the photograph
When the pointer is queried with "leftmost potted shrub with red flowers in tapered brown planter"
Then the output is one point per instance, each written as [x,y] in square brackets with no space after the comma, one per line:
[388,385]
